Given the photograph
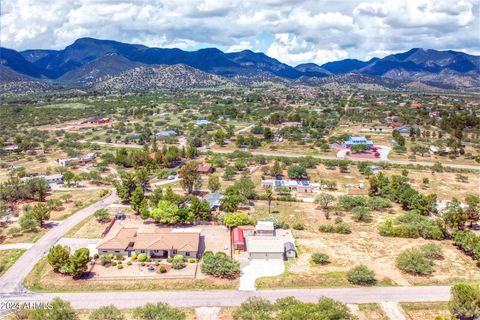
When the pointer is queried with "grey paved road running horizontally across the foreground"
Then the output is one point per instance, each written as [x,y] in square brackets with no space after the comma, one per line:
[223,298]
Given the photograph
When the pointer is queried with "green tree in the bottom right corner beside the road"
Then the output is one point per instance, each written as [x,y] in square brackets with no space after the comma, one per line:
[465,301]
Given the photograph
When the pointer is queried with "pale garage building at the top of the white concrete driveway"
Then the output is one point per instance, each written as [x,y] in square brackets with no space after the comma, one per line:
[265,248]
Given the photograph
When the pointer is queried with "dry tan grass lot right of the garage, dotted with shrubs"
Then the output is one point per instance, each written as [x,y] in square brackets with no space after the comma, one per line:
[363,246]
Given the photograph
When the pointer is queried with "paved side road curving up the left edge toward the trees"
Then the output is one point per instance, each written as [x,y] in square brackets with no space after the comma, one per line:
[12,280]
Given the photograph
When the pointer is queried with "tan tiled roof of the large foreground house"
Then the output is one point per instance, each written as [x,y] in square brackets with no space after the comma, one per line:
[122,236]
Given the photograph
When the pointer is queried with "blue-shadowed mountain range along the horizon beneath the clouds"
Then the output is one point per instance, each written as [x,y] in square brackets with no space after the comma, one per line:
[112,65]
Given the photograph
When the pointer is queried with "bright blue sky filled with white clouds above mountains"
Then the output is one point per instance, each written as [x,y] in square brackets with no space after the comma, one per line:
[293,31]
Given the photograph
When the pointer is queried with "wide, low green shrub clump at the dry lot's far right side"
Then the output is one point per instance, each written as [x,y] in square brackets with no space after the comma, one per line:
[412,225]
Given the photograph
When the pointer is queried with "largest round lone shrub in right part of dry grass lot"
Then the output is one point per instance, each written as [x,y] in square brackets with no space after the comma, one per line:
[414,261]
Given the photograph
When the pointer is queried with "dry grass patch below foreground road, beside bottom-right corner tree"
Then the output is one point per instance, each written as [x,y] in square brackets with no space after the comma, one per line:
[425,310]
